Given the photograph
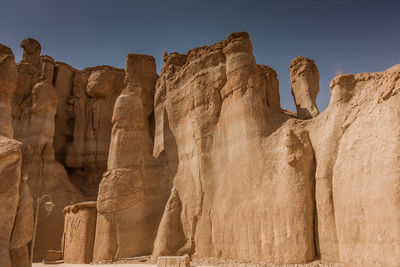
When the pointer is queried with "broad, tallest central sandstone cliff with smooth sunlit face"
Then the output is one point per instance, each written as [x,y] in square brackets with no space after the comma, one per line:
[243,171]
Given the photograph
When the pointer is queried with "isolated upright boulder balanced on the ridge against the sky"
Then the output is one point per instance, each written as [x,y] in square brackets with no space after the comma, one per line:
[304,77]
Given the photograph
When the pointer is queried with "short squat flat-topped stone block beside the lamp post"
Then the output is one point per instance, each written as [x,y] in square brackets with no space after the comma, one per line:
[79,232]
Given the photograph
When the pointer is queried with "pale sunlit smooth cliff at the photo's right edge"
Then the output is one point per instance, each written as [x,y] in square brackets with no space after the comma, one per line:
[366,168]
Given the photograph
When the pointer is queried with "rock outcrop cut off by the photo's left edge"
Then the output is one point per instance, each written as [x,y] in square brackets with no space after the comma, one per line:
[16,213]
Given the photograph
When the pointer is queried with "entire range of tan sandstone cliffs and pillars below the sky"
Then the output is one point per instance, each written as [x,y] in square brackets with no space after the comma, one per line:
[201,160]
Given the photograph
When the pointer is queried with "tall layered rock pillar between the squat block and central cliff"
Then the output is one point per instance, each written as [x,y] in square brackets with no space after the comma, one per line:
[135,188]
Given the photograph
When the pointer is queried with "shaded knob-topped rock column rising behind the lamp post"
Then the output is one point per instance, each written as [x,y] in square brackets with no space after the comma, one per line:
[34,108]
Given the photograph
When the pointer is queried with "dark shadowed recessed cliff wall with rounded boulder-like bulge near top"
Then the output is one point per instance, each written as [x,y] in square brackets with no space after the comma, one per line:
[88,107]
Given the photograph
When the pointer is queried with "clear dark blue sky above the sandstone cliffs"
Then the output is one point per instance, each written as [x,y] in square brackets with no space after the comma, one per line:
[341,36]
